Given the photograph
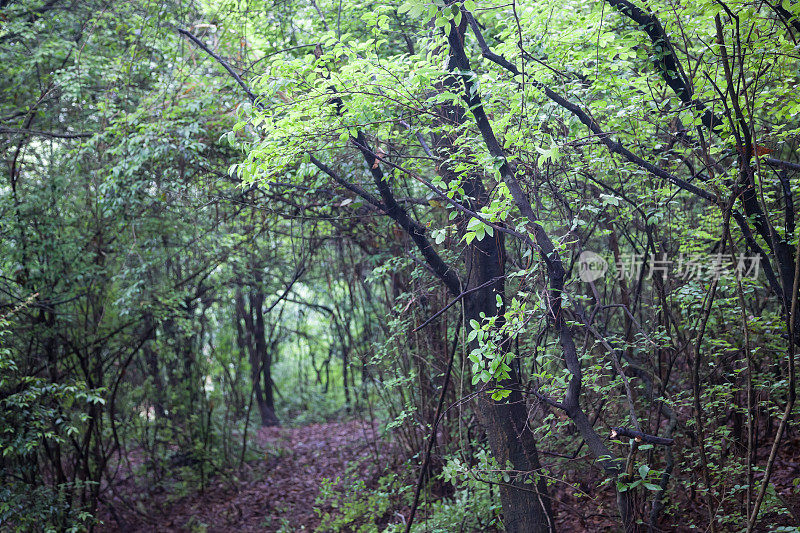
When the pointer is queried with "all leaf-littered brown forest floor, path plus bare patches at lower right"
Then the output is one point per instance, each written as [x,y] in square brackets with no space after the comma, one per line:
[279,490]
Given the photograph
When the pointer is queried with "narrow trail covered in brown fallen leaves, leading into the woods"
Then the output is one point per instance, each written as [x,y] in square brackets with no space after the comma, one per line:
[278,491]
